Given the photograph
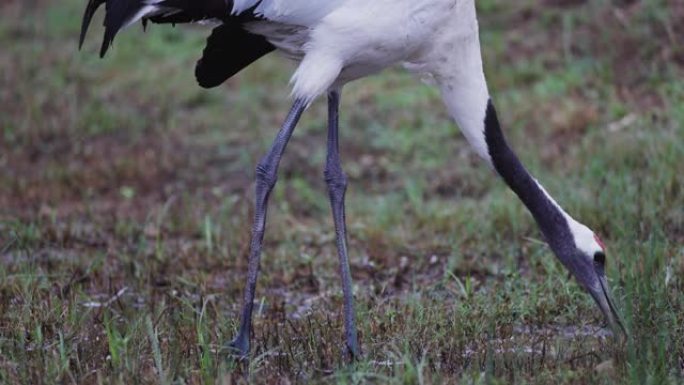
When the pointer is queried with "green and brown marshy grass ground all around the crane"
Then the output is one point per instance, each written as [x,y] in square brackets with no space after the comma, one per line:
[125,201]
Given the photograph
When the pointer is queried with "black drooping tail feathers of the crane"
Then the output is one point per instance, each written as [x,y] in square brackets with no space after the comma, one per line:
[230,47]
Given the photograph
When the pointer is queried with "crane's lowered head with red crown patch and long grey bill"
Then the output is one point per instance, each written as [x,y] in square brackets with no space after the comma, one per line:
[586,260]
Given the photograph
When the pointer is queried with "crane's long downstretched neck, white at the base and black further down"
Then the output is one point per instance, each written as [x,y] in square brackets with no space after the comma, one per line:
[455,61]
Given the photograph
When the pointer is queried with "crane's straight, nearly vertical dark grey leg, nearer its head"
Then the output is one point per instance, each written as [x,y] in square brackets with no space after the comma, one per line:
[337,187]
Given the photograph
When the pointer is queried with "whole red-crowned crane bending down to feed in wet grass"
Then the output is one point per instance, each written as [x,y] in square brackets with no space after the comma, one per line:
[337,41]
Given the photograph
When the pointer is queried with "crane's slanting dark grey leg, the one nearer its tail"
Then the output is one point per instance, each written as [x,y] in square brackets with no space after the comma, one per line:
[266,176]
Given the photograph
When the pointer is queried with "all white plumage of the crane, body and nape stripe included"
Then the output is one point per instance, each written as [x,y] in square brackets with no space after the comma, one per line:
[337,41]
